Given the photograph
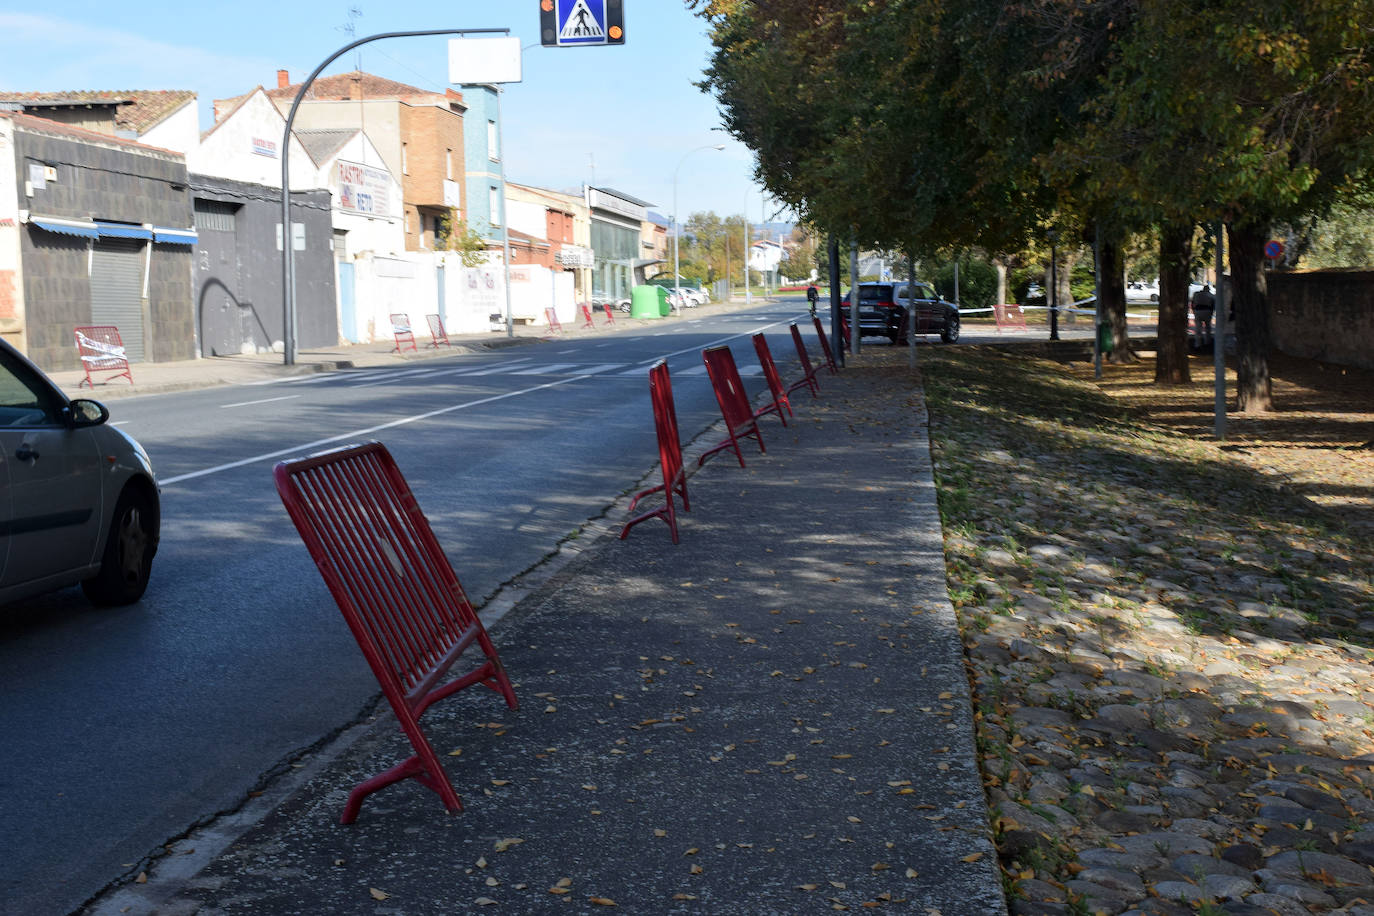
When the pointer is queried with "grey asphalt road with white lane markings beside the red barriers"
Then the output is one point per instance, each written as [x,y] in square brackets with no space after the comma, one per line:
[124,729]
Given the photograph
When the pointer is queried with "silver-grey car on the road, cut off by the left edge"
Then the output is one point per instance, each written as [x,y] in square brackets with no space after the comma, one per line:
[79,501]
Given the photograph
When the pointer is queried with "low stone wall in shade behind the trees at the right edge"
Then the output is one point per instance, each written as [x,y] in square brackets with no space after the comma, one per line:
[1324,315]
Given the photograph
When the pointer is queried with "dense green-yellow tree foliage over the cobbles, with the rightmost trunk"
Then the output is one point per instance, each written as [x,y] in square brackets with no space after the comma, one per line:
[928,126]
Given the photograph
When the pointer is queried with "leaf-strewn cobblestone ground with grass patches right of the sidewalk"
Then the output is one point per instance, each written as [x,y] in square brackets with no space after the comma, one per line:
[1169,638]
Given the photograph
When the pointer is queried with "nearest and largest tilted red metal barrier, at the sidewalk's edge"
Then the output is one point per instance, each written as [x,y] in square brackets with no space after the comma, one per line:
[398,593]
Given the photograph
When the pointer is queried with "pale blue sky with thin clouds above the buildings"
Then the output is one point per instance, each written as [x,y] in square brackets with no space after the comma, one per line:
[626,117]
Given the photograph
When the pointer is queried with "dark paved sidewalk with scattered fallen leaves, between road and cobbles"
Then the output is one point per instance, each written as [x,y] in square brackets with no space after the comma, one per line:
[772,718]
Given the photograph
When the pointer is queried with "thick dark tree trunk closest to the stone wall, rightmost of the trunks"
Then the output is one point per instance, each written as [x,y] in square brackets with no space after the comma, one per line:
[1248,300]
